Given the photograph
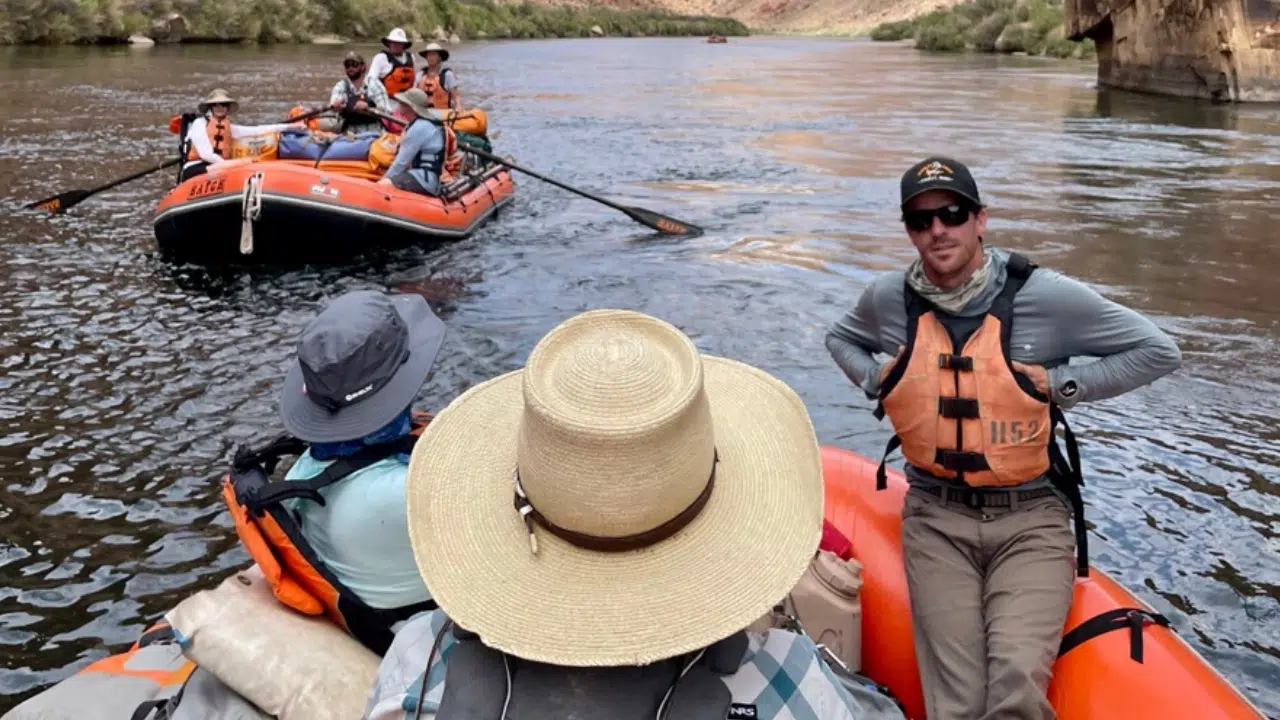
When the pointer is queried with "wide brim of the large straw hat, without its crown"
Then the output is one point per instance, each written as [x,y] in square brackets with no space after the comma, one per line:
[746,552]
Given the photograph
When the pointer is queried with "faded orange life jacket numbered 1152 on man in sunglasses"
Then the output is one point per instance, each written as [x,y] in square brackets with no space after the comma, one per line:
[961,411]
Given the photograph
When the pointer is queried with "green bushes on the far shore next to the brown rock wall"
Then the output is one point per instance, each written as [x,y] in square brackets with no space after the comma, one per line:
[1035,28]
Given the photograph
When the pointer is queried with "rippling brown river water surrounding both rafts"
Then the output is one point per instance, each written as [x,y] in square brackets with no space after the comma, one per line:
[126,381]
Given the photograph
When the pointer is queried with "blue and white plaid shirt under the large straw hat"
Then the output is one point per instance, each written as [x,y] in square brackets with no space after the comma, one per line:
[783,678]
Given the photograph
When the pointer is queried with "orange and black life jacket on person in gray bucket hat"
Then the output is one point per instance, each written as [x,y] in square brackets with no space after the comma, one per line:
[273,537]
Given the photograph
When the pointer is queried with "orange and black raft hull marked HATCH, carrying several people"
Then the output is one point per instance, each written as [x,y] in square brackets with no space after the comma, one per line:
[258,209]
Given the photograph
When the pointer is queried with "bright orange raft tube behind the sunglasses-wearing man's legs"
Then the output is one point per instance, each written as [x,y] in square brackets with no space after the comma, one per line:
[1096,680]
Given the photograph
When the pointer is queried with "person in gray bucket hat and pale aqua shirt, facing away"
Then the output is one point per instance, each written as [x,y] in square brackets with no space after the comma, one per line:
[335,528]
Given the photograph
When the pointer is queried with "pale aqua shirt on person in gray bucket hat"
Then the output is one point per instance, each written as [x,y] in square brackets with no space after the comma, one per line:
[362,532]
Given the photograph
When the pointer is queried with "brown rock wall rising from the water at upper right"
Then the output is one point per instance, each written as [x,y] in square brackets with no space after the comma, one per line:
[1226,51]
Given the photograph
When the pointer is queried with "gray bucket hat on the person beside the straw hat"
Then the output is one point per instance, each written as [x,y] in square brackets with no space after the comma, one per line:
[359,366]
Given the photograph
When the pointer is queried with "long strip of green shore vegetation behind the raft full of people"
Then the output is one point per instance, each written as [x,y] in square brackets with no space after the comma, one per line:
[299,21]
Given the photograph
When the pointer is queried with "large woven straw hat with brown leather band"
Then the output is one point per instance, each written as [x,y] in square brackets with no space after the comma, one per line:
[703,473]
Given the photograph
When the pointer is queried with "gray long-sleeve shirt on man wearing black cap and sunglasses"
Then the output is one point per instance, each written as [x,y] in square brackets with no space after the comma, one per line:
[1055,320]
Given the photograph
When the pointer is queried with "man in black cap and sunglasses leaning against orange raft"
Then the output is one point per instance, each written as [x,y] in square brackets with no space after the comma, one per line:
[980,340]
